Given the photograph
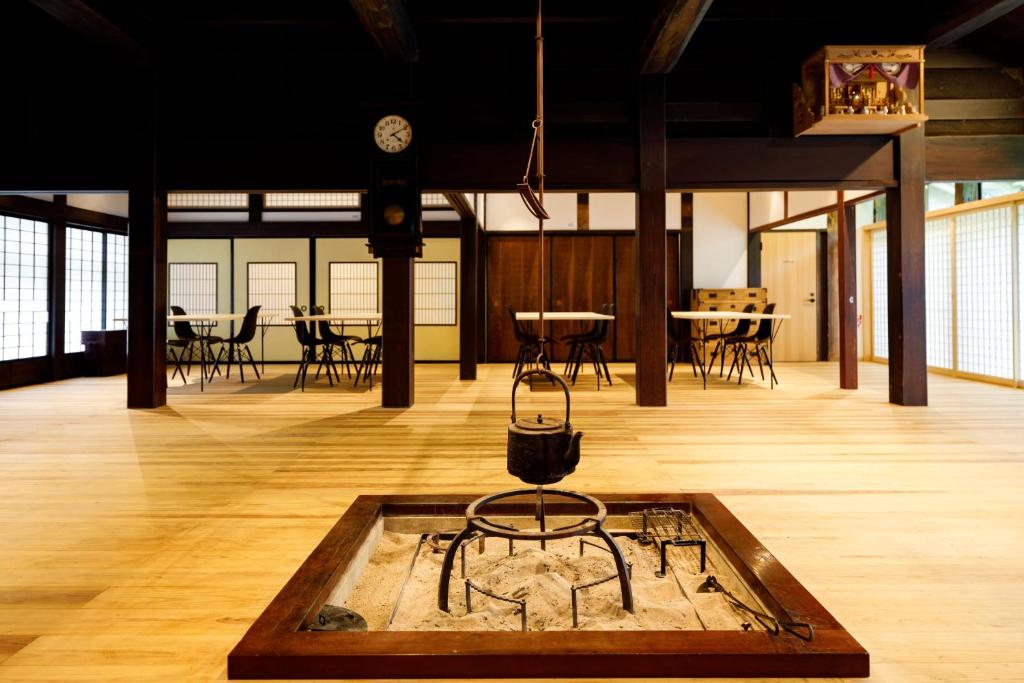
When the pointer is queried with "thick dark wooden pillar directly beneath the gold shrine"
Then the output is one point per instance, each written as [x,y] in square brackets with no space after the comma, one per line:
[906,242]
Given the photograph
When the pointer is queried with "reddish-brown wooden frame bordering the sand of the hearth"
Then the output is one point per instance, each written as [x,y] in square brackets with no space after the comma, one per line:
[278,648]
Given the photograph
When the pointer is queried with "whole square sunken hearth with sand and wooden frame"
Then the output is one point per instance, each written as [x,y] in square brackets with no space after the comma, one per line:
[706,599]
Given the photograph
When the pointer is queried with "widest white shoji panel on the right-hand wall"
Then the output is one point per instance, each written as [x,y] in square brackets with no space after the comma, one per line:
[985,293]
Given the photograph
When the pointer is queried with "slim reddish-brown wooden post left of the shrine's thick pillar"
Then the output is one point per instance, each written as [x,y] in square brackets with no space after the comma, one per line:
[846,219]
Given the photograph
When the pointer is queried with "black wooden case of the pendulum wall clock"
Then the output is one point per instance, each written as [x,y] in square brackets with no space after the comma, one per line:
[395,182]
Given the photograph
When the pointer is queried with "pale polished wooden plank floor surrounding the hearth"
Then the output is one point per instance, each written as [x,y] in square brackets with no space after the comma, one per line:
[140,546]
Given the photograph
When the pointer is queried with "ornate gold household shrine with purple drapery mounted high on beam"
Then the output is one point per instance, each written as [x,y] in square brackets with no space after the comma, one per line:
[861,91]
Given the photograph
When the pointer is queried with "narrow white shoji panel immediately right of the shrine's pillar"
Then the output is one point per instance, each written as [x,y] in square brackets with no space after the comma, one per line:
[938,292]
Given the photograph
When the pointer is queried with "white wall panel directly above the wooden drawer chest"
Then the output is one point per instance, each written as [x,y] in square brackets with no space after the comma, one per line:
[720,237]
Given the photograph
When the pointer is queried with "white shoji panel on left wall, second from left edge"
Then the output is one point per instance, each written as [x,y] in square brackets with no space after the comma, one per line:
[83,286]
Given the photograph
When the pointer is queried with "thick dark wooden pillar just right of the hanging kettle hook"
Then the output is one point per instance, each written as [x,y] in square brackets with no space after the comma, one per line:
[652,266]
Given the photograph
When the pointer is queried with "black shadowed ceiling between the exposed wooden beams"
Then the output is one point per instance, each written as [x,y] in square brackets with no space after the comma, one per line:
[305,71]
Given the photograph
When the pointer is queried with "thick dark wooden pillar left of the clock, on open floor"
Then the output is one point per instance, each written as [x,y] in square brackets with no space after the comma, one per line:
[147,266]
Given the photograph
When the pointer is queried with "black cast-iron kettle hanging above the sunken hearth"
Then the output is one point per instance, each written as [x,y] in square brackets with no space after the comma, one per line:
[542,451]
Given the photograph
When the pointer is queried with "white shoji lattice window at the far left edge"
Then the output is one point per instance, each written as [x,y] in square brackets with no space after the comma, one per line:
[24,288]
